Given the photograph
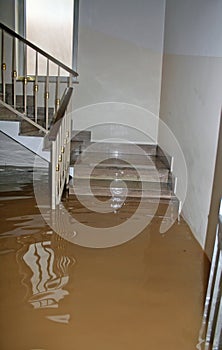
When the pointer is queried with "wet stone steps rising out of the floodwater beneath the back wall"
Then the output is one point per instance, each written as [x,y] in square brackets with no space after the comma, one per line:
[121,172]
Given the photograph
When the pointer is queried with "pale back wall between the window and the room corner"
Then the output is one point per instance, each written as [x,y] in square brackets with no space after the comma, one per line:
[120,60]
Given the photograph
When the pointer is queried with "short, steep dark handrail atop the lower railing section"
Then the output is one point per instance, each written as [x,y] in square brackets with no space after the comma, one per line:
[60,114]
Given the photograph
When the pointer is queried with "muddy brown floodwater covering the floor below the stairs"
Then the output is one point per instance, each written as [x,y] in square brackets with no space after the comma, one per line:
[147,293]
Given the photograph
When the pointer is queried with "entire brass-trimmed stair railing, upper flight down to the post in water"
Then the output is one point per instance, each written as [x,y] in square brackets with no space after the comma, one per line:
[57,130]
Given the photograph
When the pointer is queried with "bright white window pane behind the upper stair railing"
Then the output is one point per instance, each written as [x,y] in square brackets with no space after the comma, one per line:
[55,36]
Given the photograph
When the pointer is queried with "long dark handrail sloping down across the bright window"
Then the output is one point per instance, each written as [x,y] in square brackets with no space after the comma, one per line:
[36,48]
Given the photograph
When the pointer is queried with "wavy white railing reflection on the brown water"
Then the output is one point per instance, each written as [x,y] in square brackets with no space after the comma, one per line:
[45,267]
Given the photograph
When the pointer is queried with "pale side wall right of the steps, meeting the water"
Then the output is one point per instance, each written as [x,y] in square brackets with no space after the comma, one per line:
[191,97]
